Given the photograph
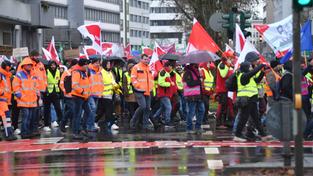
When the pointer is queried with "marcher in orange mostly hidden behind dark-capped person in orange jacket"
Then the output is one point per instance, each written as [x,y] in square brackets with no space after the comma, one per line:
[68,101]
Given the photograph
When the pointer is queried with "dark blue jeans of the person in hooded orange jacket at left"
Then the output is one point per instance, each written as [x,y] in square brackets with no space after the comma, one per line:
[28,120]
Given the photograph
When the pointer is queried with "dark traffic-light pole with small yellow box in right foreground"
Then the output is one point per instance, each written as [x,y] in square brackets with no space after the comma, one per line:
[297,92]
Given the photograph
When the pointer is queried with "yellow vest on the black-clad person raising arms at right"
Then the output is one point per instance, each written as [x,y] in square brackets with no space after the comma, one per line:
[247,90]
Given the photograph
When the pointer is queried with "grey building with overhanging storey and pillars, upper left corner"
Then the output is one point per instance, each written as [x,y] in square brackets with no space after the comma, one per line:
[21,24]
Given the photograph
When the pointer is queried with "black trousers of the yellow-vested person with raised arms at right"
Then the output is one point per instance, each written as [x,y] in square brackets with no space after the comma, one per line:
[250,110]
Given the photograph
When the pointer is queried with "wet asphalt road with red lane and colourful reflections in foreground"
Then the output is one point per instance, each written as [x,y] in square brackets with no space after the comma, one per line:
[159,153]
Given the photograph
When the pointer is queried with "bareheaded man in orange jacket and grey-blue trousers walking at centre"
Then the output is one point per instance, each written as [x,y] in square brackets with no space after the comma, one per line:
[142,82]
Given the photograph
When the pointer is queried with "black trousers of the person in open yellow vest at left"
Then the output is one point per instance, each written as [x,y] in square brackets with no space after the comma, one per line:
[49,99]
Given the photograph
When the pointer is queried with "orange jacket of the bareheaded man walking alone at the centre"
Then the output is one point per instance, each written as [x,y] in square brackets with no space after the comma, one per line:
[142,79]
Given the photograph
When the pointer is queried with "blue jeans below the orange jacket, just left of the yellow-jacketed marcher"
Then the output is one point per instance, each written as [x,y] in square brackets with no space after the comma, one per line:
[89,117]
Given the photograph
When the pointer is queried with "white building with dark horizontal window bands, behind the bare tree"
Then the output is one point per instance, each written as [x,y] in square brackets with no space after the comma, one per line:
[166,27]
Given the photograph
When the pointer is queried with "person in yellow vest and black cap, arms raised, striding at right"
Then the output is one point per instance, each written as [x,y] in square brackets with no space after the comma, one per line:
[247,98]
